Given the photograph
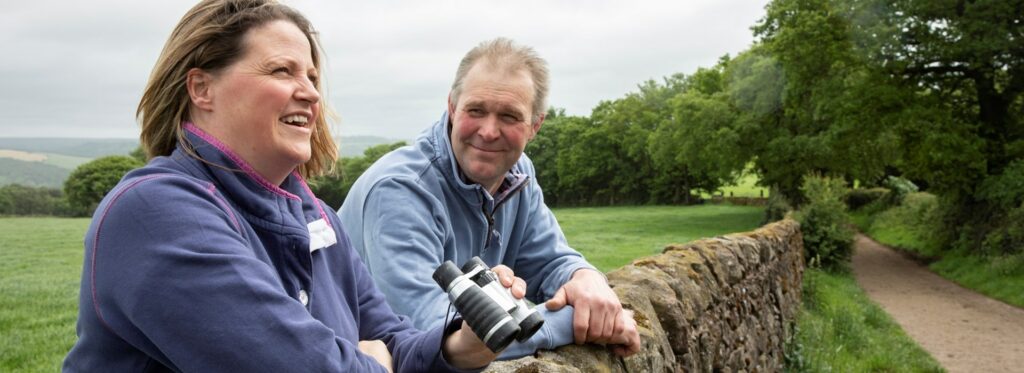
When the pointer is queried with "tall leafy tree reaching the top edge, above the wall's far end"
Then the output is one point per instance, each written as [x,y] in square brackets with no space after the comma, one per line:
[831,119]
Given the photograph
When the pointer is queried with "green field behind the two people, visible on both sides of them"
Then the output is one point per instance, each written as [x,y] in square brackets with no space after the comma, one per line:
[41,266]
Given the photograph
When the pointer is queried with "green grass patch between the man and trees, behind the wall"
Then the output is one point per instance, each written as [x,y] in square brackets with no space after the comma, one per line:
[612,237]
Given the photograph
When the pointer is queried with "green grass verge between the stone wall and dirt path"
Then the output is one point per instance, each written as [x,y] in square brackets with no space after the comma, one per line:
[841,330]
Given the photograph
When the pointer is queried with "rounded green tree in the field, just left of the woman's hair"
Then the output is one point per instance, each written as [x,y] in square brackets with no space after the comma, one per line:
[90,183]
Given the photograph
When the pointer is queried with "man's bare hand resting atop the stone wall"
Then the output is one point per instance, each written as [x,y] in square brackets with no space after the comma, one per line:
[600,317]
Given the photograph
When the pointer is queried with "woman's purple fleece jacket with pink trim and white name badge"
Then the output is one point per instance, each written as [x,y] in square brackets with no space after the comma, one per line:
[202,266]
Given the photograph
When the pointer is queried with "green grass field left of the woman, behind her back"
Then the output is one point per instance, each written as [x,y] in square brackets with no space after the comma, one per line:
[41,265]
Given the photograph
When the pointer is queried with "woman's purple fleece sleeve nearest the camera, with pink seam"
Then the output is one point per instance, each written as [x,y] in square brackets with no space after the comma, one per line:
[173,275]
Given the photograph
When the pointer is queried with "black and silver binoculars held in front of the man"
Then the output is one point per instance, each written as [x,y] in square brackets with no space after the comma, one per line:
[494,315]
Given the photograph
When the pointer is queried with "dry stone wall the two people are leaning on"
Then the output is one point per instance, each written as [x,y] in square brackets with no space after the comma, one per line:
[723,305]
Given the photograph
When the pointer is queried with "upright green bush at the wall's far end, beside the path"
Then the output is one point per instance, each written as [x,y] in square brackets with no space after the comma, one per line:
[824,221]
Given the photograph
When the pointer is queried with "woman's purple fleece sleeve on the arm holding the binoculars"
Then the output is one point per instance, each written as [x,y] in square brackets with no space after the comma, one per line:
[412,350]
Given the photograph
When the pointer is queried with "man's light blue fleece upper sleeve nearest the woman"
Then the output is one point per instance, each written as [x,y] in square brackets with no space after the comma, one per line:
[404,234]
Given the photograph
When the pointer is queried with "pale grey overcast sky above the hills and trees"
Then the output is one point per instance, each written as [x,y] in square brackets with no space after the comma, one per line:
[76,69]
